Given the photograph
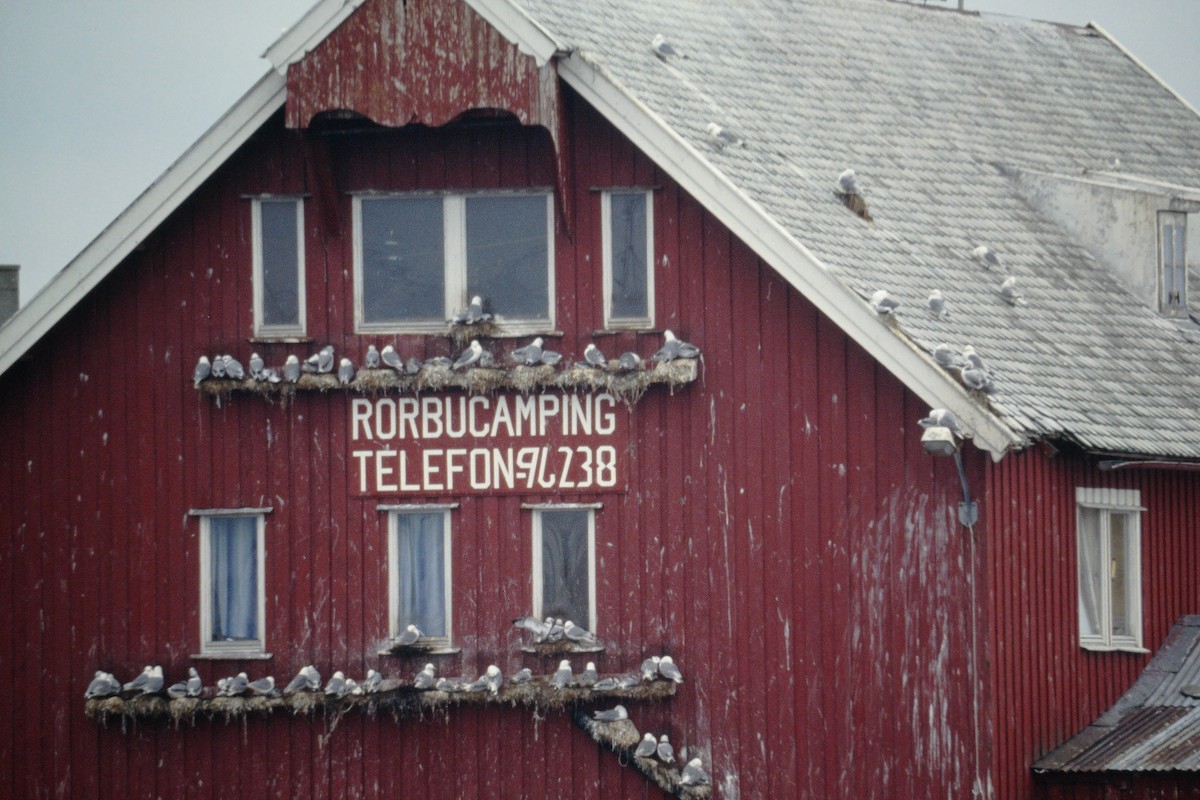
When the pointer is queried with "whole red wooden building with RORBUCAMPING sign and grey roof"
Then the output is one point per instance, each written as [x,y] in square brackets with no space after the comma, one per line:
[854,617]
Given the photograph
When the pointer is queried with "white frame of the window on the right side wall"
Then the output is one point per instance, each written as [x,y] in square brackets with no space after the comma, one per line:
[1109,502]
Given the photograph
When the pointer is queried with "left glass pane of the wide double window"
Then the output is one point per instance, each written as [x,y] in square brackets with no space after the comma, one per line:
[404,279]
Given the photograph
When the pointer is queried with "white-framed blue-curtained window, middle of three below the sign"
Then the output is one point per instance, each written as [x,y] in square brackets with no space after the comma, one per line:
[419,572]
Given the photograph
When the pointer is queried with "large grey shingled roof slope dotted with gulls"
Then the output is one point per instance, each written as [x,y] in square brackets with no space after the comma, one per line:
[931,110]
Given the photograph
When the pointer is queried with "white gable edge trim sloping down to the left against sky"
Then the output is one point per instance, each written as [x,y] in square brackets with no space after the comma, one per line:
[141,219]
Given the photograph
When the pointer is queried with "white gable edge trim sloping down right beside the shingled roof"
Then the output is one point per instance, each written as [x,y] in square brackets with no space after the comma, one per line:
[784,252]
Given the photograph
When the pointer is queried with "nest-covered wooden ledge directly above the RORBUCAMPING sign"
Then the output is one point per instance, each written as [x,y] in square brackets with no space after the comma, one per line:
[629,387]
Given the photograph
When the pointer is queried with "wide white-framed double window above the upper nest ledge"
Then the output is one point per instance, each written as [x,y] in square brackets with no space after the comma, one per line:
[421,258]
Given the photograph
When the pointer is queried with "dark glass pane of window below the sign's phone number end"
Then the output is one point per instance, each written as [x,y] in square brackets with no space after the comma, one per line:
[565,566]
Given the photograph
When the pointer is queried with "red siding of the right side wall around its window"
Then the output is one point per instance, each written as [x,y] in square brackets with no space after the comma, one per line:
[1045,687]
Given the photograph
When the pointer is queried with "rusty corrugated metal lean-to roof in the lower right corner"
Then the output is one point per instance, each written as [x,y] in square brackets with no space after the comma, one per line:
[1154,727]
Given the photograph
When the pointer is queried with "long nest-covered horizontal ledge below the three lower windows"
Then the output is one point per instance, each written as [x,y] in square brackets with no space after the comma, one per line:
[403,701]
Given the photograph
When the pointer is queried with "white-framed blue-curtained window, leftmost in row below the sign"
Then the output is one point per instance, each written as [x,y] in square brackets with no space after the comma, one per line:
[233,600]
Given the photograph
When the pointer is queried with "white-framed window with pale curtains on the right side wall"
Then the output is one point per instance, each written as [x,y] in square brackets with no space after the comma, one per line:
[1109,569]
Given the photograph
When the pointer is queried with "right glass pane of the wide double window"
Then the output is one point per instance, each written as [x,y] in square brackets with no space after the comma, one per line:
[508,255]
